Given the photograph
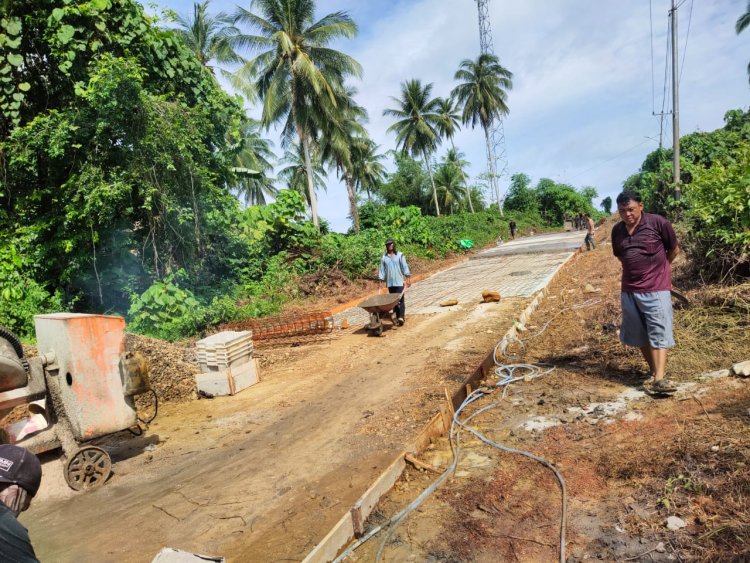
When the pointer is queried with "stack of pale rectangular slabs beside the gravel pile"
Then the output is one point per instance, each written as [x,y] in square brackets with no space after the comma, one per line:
[227,363]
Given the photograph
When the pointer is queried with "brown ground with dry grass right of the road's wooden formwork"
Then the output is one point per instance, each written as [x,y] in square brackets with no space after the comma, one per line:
[630,461]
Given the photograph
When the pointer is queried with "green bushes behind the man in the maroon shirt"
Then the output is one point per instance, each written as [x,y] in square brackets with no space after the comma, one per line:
[715,209]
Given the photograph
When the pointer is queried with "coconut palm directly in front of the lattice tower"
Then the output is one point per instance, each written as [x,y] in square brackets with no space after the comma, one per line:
[483,93]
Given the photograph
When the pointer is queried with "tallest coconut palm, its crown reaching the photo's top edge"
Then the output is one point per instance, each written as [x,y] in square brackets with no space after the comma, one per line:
[296,72]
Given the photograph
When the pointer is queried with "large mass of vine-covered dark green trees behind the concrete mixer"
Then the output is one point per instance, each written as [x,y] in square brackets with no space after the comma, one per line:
[114,160]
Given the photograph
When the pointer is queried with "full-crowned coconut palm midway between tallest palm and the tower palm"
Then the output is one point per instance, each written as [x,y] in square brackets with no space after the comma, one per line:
[416,128]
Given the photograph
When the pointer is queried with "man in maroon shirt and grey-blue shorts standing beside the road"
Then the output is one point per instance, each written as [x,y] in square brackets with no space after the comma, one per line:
[646,245]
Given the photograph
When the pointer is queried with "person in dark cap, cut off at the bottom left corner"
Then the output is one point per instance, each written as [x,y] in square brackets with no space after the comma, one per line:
[20,477]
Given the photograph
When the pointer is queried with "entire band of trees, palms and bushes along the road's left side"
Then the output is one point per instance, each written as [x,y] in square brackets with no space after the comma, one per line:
[131,183]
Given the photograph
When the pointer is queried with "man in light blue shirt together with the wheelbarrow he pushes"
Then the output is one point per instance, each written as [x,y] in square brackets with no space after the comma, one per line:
[394,272]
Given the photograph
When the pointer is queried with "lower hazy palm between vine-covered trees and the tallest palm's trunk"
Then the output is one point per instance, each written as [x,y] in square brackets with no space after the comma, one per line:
[252,165]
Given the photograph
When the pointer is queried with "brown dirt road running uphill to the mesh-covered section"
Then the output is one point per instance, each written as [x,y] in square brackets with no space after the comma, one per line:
[262,476]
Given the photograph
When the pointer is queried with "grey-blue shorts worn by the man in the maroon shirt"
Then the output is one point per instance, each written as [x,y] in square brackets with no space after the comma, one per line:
[647,319]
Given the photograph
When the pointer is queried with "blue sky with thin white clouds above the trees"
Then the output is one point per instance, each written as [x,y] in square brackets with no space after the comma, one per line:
[587,77]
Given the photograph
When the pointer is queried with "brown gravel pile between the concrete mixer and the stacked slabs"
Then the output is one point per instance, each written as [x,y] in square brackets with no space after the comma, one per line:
[173,367]
